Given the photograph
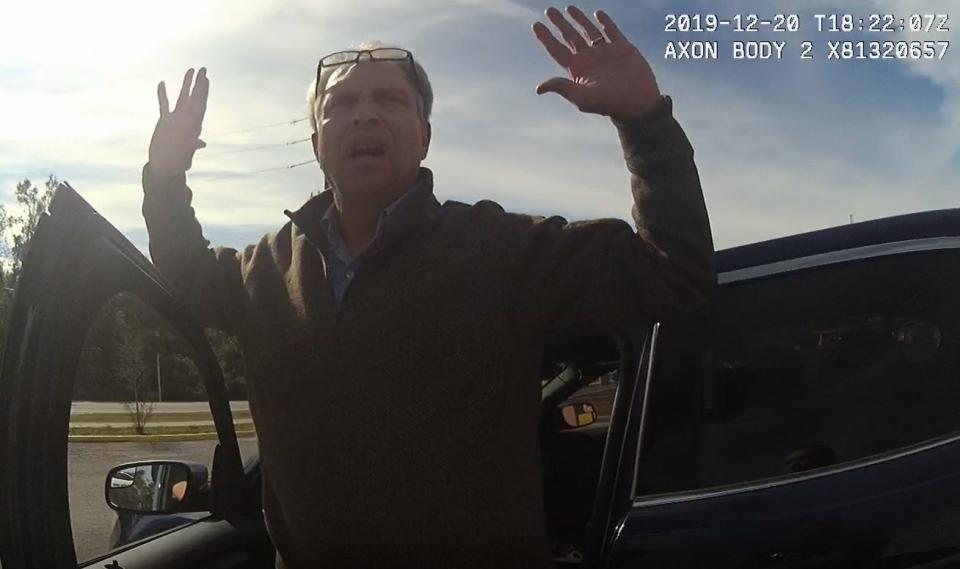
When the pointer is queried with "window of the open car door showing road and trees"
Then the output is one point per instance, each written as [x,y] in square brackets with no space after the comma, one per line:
[138,395]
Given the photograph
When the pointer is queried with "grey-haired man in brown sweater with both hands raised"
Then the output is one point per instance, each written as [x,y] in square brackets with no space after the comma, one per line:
[392,343]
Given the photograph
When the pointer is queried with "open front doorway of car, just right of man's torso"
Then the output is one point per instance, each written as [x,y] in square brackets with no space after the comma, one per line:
[588,470]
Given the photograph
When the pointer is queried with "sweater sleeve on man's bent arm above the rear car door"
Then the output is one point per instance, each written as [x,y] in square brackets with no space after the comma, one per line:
[601,274]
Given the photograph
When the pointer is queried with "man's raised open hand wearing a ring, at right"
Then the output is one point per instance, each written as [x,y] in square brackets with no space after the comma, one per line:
[608,74]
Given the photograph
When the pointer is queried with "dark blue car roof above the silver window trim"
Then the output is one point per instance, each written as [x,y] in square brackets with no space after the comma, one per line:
[923,225]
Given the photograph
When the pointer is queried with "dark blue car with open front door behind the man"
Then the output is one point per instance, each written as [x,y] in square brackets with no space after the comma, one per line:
[808,419]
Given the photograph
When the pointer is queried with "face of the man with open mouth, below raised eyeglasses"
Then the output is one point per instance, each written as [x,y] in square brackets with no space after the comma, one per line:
[371,136]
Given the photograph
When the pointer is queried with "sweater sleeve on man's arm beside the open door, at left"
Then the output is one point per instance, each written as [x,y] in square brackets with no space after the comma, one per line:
[206,280]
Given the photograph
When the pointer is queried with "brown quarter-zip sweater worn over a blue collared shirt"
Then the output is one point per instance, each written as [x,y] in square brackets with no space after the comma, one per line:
[400,429]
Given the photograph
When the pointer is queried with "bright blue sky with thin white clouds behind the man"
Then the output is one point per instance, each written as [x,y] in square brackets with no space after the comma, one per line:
[782,146]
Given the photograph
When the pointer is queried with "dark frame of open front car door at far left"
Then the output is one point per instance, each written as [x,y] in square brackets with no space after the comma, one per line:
[77,261]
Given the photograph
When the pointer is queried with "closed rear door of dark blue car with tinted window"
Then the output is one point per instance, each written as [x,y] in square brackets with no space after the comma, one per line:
[823,406]
